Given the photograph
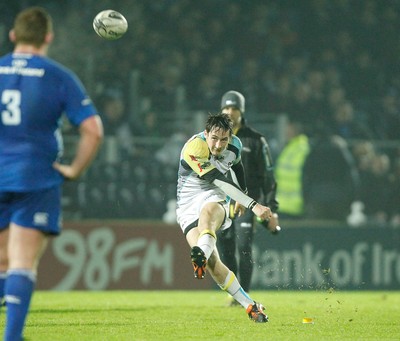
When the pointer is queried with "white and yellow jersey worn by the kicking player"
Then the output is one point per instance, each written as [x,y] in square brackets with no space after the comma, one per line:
[196,160]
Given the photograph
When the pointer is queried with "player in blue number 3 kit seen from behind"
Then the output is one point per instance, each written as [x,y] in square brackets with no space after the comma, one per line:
[35,92]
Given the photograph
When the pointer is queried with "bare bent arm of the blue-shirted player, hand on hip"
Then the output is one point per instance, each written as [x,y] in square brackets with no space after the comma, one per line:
[91,135]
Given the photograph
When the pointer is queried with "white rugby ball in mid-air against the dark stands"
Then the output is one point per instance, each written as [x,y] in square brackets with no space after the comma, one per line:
[110,24]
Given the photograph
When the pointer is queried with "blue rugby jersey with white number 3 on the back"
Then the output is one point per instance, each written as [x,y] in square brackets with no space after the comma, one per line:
[35,92]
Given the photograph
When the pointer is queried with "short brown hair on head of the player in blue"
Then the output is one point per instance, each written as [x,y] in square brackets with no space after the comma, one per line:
[31,26]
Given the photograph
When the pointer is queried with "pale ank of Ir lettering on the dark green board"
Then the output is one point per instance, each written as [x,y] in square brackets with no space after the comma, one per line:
[311,267]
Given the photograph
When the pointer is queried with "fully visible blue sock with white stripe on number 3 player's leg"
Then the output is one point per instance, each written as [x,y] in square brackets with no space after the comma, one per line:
[18,292]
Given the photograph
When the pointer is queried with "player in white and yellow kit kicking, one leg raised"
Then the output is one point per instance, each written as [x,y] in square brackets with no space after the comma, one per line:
[203,195]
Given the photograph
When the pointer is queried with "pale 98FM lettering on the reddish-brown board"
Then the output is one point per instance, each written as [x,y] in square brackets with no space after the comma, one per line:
[88,259]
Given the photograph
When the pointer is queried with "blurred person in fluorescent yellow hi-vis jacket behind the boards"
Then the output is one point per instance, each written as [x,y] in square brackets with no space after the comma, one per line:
[289,170]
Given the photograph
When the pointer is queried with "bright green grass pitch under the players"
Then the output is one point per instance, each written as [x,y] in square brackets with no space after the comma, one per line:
[204,315]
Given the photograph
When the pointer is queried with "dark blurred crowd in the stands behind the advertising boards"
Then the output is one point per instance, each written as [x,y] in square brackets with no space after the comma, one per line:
[322,72]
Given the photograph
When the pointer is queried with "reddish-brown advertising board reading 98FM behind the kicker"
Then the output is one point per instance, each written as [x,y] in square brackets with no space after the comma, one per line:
[118,256]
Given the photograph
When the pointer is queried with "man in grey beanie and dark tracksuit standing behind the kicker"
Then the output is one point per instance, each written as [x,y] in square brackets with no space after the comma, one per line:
[261,184]
